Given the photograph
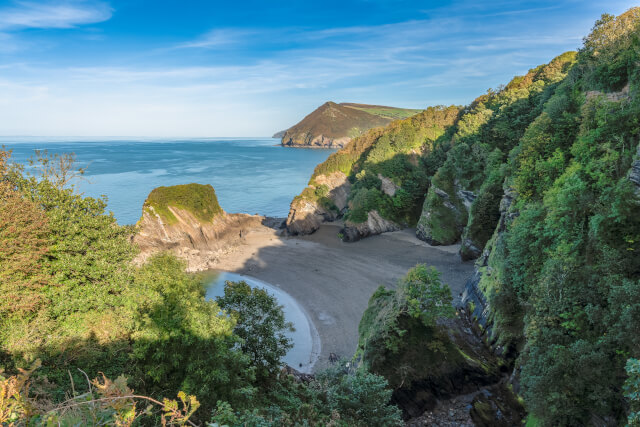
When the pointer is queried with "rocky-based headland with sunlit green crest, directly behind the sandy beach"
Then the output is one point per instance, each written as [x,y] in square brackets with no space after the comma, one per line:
[376,182]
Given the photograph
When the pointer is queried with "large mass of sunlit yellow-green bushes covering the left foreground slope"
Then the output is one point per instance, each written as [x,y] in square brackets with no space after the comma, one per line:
[85,306]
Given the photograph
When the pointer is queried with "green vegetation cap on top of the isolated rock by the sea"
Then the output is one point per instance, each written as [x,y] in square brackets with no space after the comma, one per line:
[200,200]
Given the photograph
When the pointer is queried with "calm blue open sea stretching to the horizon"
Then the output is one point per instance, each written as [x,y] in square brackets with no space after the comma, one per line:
[249,175]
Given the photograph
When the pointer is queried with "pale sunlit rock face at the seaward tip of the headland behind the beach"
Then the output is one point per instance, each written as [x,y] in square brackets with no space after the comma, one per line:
[306,214]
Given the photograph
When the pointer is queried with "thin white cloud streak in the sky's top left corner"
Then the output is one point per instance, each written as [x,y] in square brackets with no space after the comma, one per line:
[66,14]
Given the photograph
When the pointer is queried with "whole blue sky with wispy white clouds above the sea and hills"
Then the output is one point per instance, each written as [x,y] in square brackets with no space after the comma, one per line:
[251,68]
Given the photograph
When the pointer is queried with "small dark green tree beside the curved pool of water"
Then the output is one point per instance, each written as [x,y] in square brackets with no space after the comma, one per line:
[260,325]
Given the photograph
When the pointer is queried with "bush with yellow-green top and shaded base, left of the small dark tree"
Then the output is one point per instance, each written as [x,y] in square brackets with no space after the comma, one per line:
[182,342]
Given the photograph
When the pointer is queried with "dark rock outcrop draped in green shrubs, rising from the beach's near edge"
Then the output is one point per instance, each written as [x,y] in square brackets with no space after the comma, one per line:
[408,335]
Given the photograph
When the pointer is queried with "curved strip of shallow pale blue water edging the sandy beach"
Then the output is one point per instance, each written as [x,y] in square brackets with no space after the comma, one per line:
[306,341]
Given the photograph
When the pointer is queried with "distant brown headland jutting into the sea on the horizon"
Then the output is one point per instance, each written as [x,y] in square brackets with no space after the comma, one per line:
[333,125]
